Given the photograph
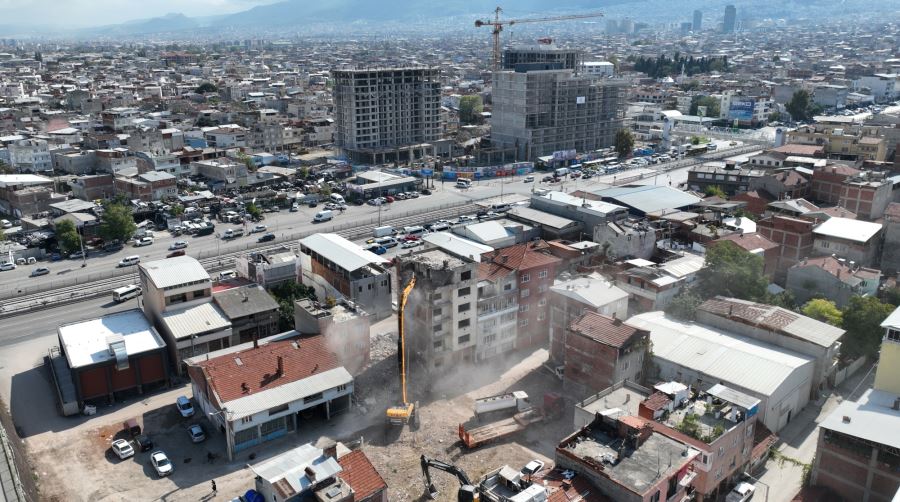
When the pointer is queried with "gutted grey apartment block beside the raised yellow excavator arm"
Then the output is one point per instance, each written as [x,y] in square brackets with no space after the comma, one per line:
[441,313]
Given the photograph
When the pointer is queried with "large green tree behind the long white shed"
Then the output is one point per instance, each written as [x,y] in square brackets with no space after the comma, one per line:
[731,271]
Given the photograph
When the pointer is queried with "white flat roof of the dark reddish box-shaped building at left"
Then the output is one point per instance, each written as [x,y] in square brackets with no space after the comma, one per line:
[85,342]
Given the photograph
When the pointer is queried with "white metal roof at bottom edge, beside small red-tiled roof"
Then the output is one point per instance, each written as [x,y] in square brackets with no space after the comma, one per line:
[291,466]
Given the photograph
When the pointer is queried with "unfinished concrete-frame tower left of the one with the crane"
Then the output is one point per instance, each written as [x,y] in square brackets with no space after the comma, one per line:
[387,114]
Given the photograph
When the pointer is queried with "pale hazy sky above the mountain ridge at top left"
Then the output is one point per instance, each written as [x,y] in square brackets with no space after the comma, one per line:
[98,12]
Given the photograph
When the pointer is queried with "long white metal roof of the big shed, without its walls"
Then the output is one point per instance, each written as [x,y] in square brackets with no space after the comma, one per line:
[734,359]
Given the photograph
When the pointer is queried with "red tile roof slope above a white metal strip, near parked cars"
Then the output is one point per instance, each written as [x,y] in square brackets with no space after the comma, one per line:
[244,372]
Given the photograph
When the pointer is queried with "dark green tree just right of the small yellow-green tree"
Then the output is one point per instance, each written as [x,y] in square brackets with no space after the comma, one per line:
[862,320]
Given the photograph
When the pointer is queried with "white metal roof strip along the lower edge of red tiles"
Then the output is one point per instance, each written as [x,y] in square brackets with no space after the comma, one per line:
[289,392]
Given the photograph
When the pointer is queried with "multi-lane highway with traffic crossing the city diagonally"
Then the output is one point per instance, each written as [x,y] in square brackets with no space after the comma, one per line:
[68,282]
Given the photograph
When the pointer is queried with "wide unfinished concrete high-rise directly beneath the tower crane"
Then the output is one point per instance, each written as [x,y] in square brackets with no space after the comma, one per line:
[541,108]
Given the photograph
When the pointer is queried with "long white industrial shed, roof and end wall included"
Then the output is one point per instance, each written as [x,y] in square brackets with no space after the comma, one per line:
[703,356]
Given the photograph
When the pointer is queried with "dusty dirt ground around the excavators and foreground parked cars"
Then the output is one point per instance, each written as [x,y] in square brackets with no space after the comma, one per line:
[76,463]
